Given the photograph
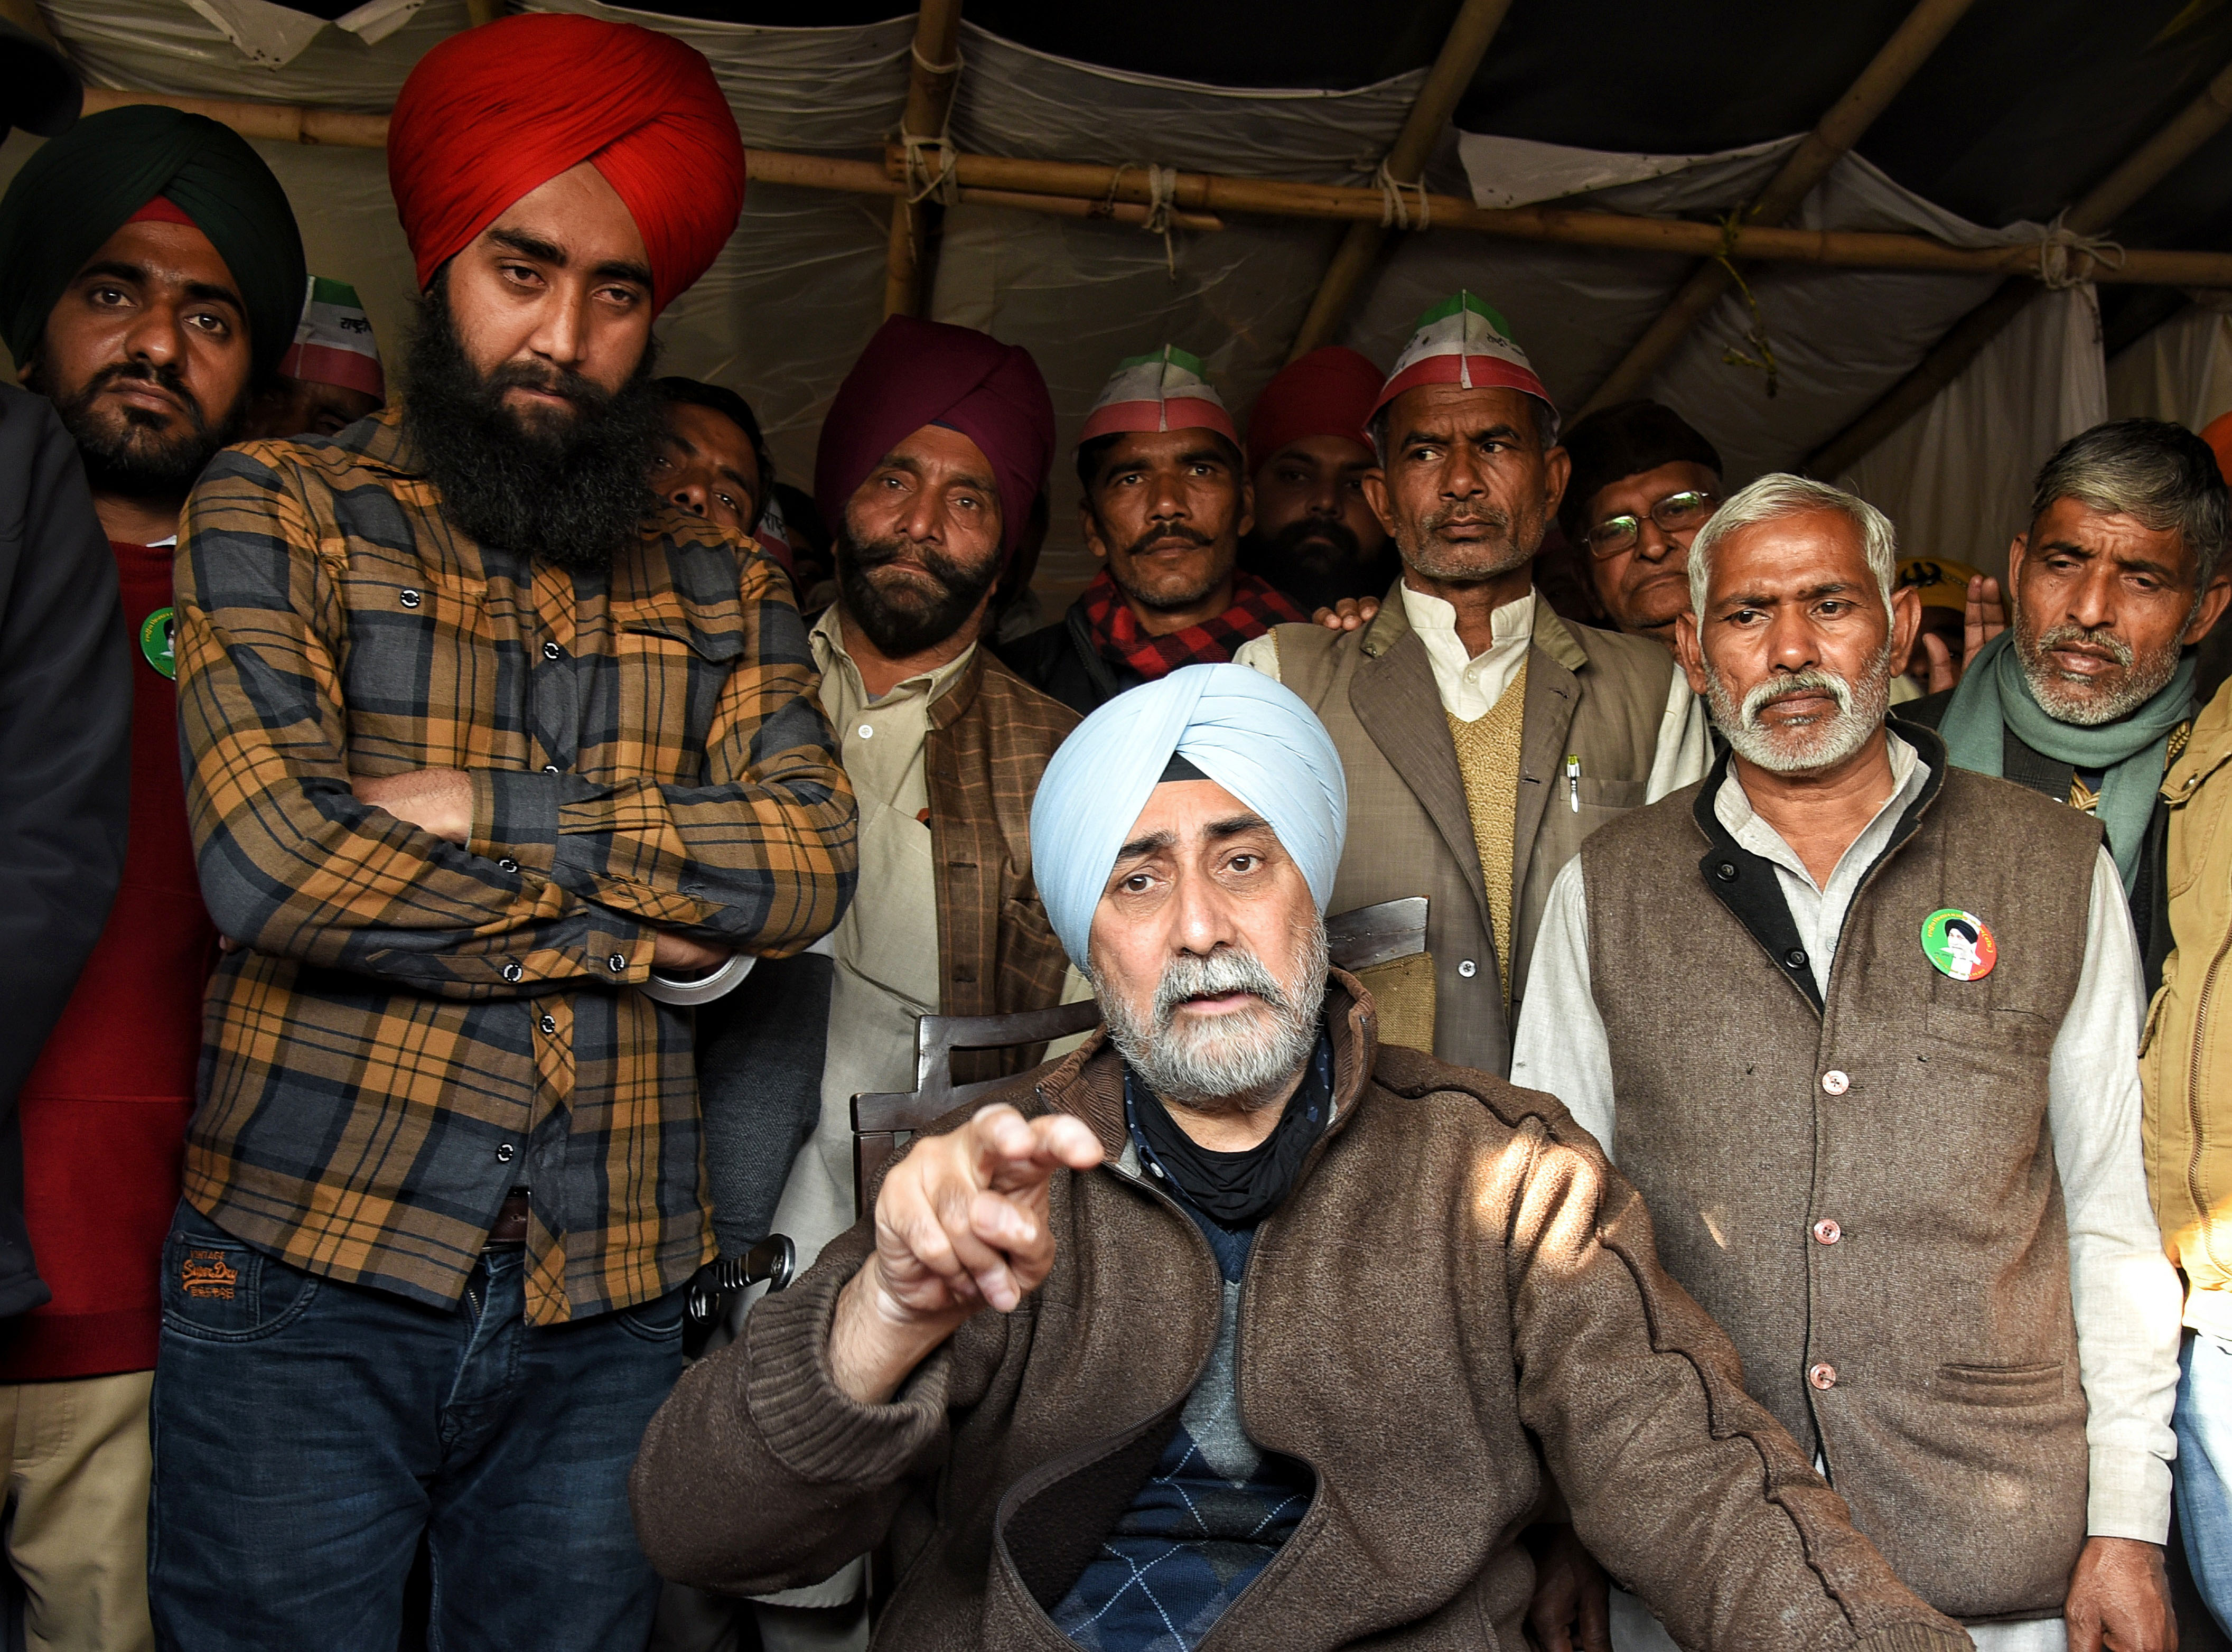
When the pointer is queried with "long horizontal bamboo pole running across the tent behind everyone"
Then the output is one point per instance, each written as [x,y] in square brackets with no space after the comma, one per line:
[1066,189]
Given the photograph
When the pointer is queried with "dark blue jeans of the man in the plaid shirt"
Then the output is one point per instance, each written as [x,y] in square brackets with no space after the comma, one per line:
[309,1434]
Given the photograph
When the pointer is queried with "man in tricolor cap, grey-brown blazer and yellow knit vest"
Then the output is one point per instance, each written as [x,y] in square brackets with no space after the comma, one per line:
[1483,736]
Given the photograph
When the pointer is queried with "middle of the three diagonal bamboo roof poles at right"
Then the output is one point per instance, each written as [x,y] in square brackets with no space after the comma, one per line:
[1885,77]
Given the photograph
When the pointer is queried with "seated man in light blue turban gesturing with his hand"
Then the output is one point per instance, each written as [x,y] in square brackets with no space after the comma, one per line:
[1235,1318]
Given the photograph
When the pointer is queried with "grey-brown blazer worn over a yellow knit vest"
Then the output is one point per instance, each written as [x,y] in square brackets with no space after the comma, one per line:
[1590,693]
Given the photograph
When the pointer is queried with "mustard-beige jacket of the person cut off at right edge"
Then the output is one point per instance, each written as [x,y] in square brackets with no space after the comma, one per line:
[2186,1057]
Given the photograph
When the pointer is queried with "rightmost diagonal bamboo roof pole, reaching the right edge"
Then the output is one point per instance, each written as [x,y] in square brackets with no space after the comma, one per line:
[2101,206]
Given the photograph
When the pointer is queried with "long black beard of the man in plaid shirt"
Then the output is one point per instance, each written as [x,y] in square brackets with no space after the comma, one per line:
[573,492]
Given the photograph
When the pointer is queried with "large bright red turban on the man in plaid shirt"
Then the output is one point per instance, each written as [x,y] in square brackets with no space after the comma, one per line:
[501,111]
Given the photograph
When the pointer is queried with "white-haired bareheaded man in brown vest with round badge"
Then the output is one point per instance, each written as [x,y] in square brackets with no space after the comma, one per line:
[1863,1030]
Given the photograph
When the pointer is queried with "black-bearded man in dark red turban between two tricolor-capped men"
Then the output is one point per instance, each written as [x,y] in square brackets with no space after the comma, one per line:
[1316,535]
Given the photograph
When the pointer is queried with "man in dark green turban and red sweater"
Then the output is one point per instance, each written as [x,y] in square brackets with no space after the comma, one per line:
[151,276]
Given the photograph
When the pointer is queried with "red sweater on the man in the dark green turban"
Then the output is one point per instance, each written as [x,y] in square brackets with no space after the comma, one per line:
[104,1111]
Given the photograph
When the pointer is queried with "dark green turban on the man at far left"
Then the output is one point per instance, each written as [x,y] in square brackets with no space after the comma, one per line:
[86,184]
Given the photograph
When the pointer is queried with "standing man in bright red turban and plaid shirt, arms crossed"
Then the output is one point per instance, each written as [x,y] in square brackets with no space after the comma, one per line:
[488,751]
